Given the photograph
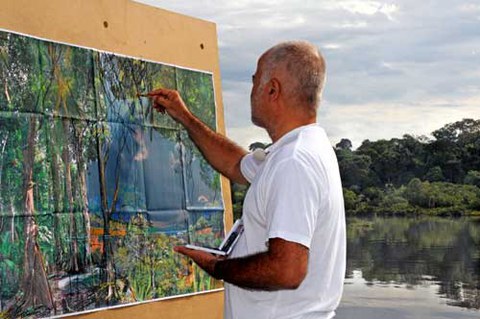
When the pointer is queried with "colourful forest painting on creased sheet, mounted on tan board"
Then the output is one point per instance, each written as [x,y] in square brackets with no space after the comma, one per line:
[95,188]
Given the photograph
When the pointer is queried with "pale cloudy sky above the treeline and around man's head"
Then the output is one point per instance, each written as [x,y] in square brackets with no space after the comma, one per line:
[393,67]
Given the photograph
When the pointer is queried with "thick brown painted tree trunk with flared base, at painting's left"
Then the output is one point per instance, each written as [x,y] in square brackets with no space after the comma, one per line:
[35,286]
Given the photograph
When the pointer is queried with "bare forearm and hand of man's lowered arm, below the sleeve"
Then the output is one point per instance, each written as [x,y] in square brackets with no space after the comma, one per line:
[283,266]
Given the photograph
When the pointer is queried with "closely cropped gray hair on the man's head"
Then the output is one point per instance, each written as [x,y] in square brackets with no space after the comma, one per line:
[305,66]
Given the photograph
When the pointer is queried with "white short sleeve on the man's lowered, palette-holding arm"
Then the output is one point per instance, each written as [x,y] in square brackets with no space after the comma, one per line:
[292,202]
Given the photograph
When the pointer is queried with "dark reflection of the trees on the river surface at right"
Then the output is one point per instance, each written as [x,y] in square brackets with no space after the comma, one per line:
[414,252]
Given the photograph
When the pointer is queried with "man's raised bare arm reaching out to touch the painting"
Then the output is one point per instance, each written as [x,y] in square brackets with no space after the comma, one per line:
[222,153]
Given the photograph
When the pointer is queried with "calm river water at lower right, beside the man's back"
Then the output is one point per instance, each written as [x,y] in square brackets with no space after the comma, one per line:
[409,268]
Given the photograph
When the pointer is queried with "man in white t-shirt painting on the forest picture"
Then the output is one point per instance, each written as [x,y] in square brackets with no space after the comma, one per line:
[290,261]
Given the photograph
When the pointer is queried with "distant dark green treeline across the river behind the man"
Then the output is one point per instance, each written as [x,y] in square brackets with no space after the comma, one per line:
[409,175]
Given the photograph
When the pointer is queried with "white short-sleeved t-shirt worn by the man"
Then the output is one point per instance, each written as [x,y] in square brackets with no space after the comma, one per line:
[295,194]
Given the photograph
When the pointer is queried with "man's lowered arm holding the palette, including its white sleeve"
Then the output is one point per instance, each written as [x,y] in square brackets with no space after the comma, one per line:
[291,212]
